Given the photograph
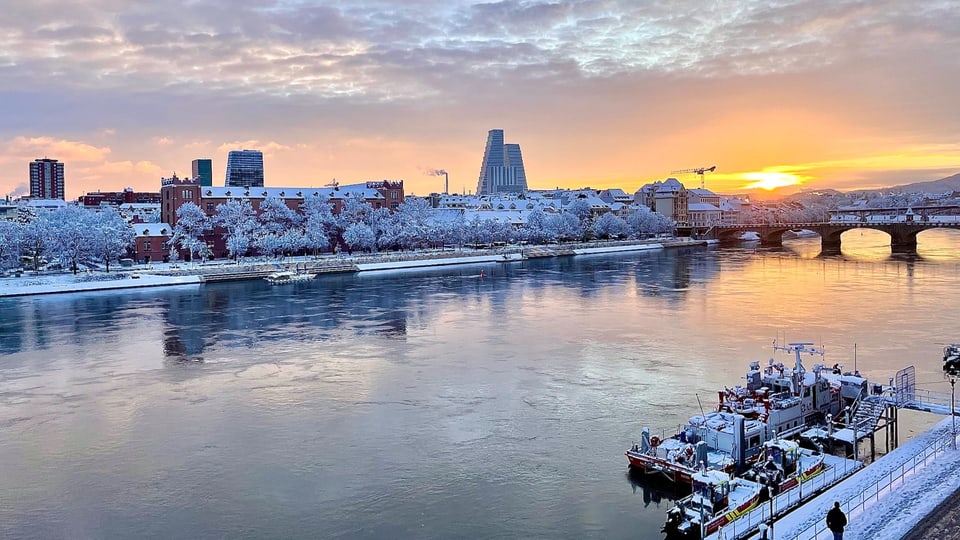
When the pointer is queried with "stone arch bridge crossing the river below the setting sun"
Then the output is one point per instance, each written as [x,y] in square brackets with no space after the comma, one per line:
[903,234]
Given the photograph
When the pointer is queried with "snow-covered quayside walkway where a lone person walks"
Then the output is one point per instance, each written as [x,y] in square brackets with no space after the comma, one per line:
[893,511]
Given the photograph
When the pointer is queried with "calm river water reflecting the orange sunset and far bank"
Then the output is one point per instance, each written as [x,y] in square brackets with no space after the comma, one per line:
[423,404]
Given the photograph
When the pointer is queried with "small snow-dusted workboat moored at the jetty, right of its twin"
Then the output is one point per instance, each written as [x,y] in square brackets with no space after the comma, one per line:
[785,465]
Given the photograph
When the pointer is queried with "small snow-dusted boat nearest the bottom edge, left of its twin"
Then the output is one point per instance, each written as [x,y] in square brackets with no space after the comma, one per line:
[718,498]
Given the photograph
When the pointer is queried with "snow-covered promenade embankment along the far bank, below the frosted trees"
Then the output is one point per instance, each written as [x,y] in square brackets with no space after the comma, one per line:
[195,274]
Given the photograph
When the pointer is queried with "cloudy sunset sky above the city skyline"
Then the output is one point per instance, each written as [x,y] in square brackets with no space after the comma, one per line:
[843,94]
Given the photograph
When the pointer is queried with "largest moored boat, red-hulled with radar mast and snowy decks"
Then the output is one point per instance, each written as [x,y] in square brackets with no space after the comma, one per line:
[778,401]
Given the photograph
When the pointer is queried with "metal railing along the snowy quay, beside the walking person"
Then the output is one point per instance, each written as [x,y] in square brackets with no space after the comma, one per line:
[887,484]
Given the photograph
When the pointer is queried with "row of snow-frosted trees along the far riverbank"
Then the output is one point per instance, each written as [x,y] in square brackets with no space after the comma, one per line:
[72,238]
